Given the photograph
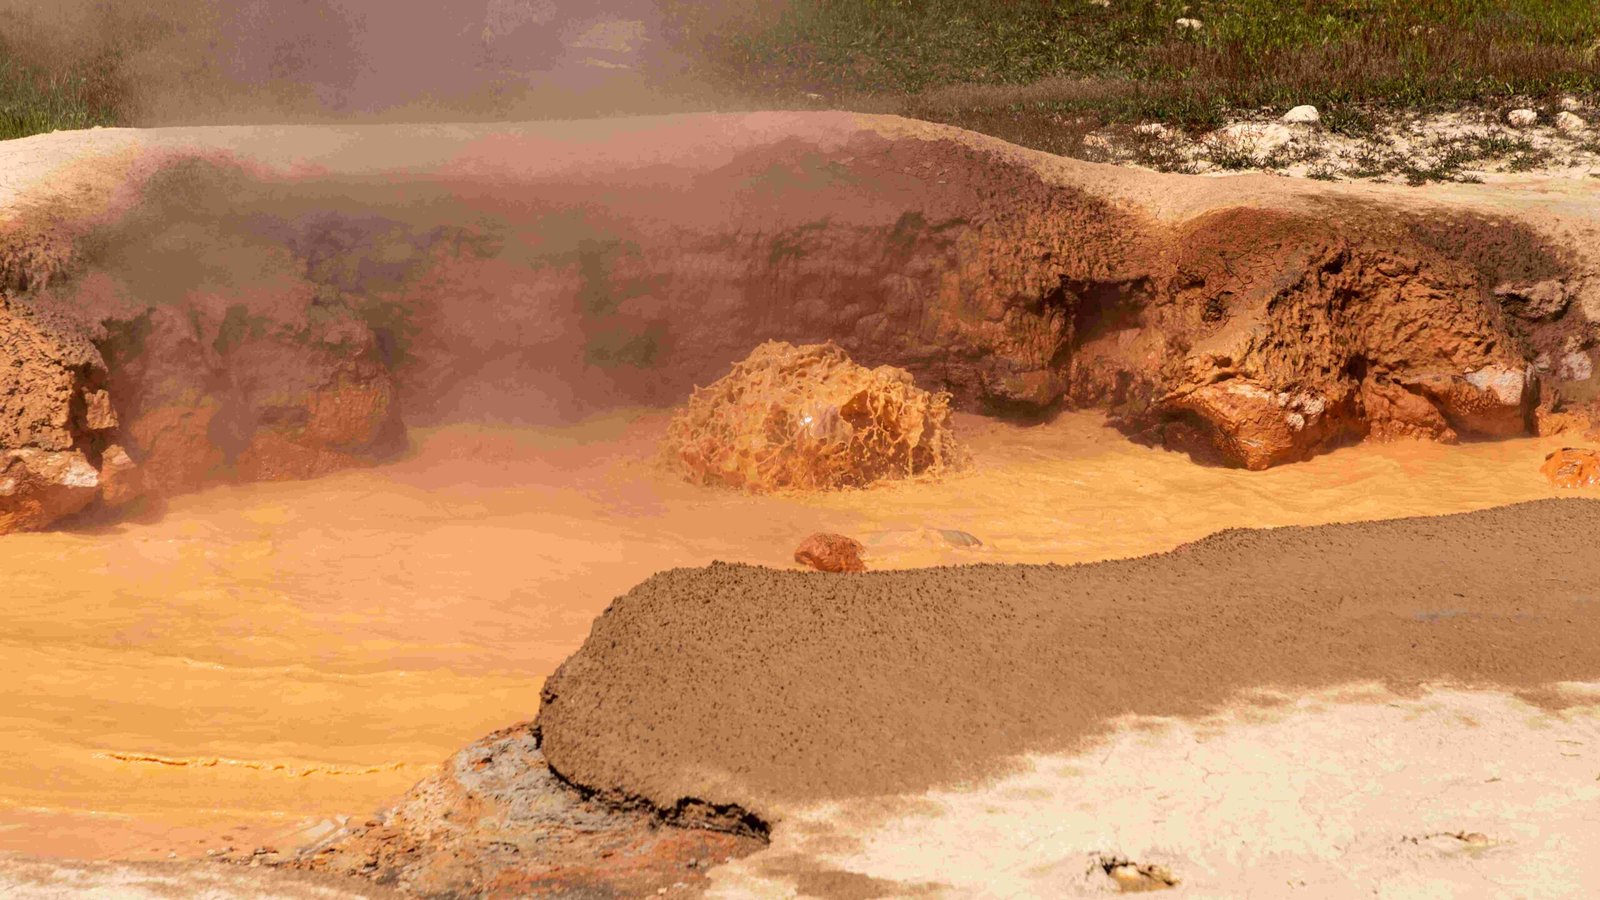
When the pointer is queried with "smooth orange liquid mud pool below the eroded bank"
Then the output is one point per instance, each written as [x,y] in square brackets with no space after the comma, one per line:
[257,662]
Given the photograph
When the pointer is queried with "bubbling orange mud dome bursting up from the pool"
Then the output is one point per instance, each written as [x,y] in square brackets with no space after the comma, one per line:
[810,419]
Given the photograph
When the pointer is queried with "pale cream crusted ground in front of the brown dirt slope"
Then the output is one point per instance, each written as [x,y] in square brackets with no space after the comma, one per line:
[1340,795]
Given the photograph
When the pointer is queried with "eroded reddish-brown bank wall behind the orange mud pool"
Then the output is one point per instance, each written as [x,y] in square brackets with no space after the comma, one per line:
[238,323]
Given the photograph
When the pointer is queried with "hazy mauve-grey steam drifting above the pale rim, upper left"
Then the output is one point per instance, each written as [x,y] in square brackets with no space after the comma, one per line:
[252,62]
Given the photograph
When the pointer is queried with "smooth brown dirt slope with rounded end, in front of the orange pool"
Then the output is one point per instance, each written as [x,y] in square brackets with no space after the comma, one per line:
[748,689]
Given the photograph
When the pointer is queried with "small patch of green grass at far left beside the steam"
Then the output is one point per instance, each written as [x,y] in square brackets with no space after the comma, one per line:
[36,100]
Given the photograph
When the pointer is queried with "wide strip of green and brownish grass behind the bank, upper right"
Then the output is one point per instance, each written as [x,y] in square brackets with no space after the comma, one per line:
[1041,73]
